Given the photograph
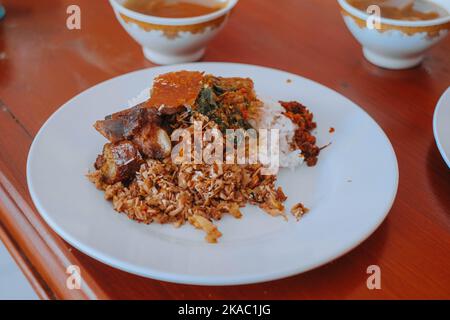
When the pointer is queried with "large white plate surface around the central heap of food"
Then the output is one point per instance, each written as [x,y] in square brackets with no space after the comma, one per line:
[349,192]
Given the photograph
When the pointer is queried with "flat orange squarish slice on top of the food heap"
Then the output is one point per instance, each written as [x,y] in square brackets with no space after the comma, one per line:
[175,91]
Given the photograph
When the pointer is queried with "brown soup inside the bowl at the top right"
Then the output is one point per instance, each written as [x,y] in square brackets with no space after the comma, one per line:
[416,10]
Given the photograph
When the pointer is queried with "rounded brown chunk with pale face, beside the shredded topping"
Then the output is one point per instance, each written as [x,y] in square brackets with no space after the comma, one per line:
[153,142]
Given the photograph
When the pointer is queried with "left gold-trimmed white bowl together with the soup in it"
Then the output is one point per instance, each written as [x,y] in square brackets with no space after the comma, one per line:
[173,31]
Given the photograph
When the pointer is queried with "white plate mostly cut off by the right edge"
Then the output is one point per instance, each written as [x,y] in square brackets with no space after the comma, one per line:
[441,126]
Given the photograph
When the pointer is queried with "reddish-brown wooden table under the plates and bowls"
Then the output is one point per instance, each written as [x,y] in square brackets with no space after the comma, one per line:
[43,64]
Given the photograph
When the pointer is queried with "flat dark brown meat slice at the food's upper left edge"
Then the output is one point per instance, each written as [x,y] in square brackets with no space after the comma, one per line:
[125,124]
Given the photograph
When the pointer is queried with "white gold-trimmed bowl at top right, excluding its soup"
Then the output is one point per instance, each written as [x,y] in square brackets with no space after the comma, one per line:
[396,44]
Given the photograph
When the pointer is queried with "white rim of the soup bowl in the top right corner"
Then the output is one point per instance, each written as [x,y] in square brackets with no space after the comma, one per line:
[402,23]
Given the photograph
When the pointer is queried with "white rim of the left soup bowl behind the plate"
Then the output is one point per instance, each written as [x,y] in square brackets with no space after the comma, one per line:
[119,7]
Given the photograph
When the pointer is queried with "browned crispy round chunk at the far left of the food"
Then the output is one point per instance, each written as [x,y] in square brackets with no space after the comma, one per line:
[119,162]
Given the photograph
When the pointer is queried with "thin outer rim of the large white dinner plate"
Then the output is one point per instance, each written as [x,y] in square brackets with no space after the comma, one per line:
[206,280]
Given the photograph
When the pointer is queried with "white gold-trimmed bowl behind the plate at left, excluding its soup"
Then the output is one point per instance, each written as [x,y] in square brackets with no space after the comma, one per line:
[172,40]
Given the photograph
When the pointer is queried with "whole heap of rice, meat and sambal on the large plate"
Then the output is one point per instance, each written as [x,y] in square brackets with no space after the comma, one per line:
[139,170]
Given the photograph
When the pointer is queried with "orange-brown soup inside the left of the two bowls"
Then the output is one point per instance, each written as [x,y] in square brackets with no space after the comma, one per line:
[174,8]
